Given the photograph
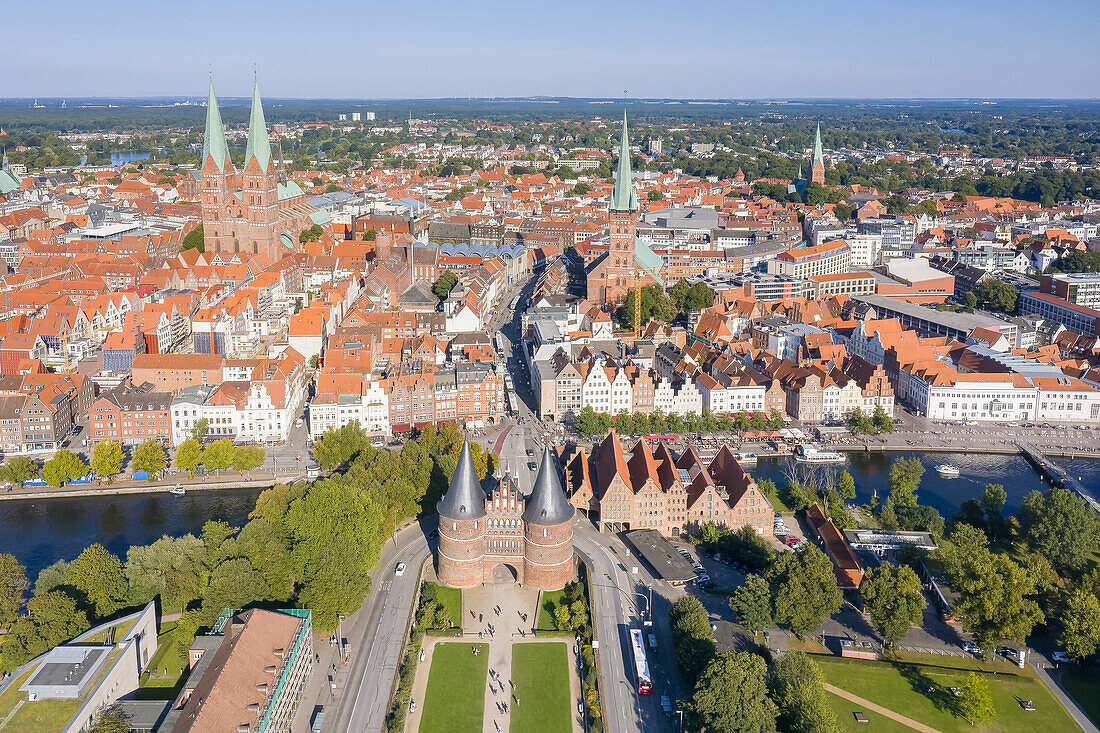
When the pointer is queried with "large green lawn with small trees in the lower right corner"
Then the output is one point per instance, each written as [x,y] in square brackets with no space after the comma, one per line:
[900,686]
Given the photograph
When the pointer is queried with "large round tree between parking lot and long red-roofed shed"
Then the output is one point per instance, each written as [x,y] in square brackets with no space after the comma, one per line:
[805,589]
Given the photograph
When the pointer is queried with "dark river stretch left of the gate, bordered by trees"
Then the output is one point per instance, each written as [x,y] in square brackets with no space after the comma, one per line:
[40,533]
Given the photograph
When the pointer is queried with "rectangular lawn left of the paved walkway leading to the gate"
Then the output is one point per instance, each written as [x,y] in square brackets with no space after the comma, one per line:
[456,698]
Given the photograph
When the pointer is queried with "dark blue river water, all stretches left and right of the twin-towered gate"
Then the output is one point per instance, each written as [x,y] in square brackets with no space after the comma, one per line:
[41,532]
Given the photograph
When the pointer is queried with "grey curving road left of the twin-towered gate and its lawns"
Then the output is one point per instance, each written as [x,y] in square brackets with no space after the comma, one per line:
[377,637]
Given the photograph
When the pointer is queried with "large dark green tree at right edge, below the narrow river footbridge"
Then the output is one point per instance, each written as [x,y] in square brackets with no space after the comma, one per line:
[1061,527]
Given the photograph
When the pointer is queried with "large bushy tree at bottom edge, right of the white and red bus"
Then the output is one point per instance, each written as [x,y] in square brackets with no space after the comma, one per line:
[732,695]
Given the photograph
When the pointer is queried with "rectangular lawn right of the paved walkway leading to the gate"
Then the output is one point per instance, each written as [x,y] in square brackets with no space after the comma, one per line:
[542,676]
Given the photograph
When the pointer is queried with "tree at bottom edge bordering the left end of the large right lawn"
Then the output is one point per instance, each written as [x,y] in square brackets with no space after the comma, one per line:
[798,687]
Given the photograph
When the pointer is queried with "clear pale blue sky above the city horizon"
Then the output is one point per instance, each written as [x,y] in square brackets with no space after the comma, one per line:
[722,49]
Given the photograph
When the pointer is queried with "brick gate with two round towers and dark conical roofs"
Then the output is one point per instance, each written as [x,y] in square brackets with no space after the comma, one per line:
[532,537]
